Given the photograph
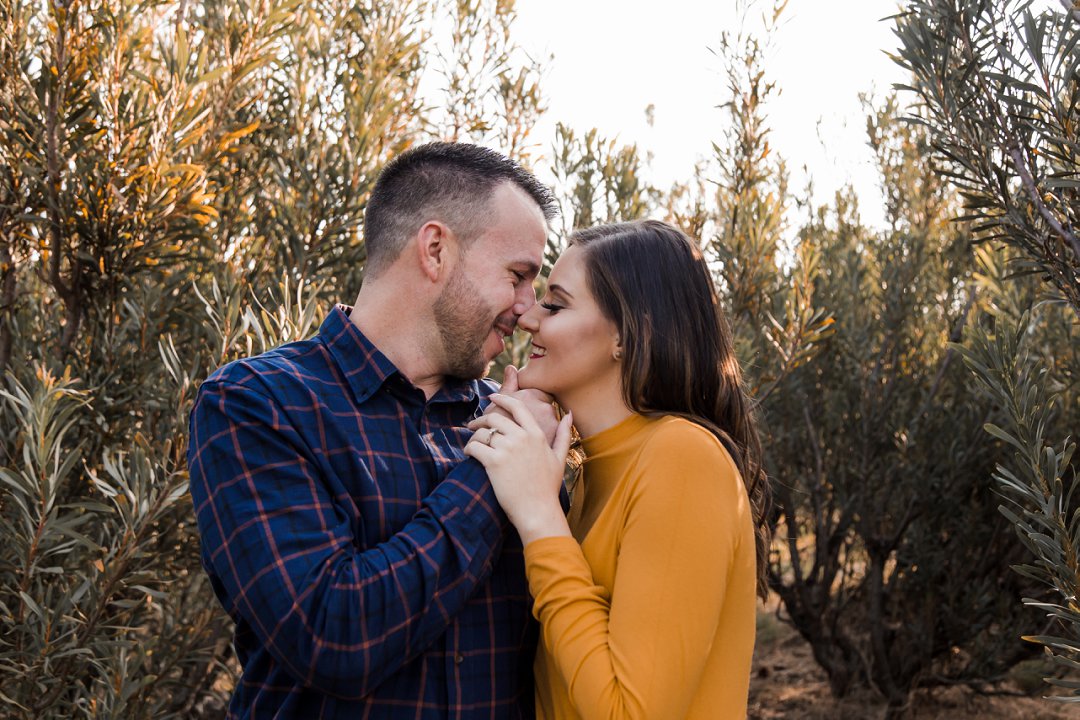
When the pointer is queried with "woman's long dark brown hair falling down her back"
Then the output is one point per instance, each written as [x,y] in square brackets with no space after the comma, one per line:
[679,359]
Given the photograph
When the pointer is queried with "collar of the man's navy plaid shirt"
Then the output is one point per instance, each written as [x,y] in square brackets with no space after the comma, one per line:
[367,369]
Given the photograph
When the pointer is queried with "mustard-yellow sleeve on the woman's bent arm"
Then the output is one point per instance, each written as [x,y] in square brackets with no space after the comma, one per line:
[640,650]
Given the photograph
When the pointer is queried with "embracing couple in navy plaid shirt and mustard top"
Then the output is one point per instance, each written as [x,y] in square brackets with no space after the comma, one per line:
[390,532]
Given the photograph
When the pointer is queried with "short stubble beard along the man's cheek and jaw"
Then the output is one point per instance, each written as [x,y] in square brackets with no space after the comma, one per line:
[464,327]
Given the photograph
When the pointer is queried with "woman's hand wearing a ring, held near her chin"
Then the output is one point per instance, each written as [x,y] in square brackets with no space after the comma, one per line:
[525,472]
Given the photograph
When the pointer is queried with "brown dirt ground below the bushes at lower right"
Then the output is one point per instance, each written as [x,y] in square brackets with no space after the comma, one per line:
[788,684]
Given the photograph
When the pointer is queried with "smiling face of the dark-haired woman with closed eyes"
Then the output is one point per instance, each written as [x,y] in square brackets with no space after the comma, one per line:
[574,344]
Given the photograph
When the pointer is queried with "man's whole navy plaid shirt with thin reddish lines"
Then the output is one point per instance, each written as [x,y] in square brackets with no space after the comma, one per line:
[360,554]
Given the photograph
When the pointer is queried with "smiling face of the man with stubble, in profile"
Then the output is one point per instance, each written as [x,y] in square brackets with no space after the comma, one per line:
[493,286]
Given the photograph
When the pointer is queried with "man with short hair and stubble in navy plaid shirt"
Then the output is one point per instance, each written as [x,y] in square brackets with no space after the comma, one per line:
[366,562]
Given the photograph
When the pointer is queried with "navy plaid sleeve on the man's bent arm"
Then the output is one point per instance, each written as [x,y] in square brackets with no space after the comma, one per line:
[340,619]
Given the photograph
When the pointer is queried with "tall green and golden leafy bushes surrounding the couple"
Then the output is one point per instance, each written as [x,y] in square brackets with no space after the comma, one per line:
[183,184]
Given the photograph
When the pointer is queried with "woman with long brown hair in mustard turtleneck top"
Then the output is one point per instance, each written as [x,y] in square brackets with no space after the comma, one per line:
[646,592]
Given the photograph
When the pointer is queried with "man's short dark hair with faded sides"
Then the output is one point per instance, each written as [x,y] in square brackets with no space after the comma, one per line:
[447,182]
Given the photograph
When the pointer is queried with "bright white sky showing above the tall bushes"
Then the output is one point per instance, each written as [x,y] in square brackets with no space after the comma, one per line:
[613,59]
